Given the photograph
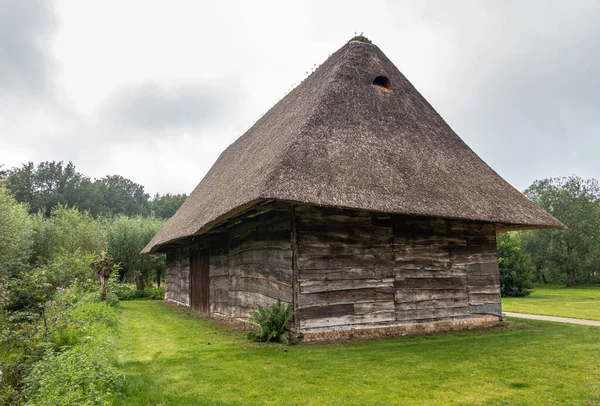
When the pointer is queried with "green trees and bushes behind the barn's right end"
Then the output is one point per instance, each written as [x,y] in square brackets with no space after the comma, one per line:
[569,256]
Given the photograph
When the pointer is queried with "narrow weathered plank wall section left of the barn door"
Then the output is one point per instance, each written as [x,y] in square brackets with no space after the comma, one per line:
[177,279]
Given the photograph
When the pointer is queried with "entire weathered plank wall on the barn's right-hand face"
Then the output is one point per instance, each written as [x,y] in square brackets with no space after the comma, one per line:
[360,268]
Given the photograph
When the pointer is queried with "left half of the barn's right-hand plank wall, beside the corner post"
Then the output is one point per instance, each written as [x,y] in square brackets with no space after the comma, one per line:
[345,268]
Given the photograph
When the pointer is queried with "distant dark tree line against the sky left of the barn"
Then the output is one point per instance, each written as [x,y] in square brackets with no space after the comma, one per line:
[48,184]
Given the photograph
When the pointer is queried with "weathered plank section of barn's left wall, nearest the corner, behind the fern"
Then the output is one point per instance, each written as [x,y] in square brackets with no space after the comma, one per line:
[259,263]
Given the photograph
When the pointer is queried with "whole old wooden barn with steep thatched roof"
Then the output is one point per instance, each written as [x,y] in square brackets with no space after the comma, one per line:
[352,200]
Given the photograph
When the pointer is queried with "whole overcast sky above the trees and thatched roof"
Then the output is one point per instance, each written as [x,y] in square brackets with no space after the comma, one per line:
[154,91]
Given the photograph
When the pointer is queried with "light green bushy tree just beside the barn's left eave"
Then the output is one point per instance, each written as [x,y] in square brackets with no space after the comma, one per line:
[127,236]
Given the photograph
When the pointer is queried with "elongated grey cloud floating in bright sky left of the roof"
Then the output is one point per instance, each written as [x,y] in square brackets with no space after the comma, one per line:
[159,107]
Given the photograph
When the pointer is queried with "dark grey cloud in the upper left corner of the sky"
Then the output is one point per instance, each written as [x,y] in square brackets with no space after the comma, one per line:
[25,36]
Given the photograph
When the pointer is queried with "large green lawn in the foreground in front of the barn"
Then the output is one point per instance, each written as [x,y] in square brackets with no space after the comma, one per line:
[166,356]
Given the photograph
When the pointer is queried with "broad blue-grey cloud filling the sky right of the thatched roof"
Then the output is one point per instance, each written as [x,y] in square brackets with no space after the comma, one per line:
[536,114]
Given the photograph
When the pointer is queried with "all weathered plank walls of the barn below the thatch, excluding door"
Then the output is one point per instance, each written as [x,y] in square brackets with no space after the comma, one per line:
[353,268]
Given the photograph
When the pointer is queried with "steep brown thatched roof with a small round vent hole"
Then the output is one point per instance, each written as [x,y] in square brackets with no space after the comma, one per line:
[340,140]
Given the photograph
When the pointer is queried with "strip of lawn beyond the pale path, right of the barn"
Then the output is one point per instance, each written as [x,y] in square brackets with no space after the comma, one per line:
[580,303]
